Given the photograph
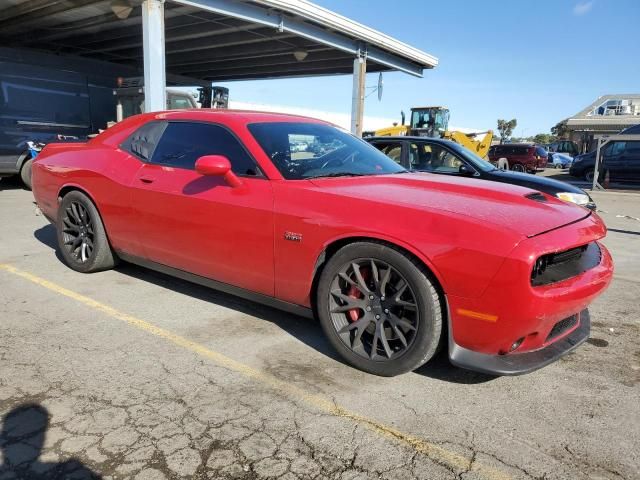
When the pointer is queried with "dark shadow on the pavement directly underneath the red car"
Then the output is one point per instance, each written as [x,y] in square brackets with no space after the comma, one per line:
[306,330]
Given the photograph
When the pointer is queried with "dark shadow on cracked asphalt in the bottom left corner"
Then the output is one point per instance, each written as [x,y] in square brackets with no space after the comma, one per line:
[21,440]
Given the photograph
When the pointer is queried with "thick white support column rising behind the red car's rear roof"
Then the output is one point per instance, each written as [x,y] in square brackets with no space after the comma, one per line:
[153,51]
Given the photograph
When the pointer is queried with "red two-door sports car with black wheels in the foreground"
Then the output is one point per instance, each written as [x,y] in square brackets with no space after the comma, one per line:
[298,214]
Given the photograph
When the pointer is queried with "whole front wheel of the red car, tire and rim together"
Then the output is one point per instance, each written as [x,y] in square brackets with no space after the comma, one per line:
[410,320]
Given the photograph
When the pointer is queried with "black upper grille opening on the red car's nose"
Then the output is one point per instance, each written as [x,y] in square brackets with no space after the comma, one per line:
[555,267]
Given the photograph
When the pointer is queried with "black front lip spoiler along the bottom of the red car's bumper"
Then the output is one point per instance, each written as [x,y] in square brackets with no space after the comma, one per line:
[520,363]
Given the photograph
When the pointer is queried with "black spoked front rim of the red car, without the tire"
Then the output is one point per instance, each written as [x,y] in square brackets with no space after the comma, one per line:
[373,309]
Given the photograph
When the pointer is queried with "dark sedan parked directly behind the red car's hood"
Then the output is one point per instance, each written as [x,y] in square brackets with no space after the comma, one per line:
[443,157]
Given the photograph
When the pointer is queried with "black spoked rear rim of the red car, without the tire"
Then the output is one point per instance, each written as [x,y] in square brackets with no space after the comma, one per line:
[78,233]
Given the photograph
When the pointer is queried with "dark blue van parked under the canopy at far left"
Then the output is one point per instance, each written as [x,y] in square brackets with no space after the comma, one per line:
[44,97]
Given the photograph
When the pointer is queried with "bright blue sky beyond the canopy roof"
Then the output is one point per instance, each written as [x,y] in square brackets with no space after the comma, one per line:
[537,61]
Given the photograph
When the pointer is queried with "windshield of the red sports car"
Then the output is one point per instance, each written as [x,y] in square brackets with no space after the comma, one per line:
[310,150]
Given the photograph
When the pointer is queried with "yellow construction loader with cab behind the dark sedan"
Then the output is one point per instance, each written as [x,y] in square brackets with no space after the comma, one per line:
[434,122]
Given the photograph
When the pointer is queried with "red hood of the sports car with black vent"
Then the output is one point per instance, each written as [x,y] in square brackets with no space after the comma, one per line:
[509,206]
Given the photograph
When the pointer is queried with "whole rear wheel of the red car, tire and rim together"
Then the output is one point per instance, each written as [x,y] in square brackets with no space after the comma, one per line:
[79,223]
